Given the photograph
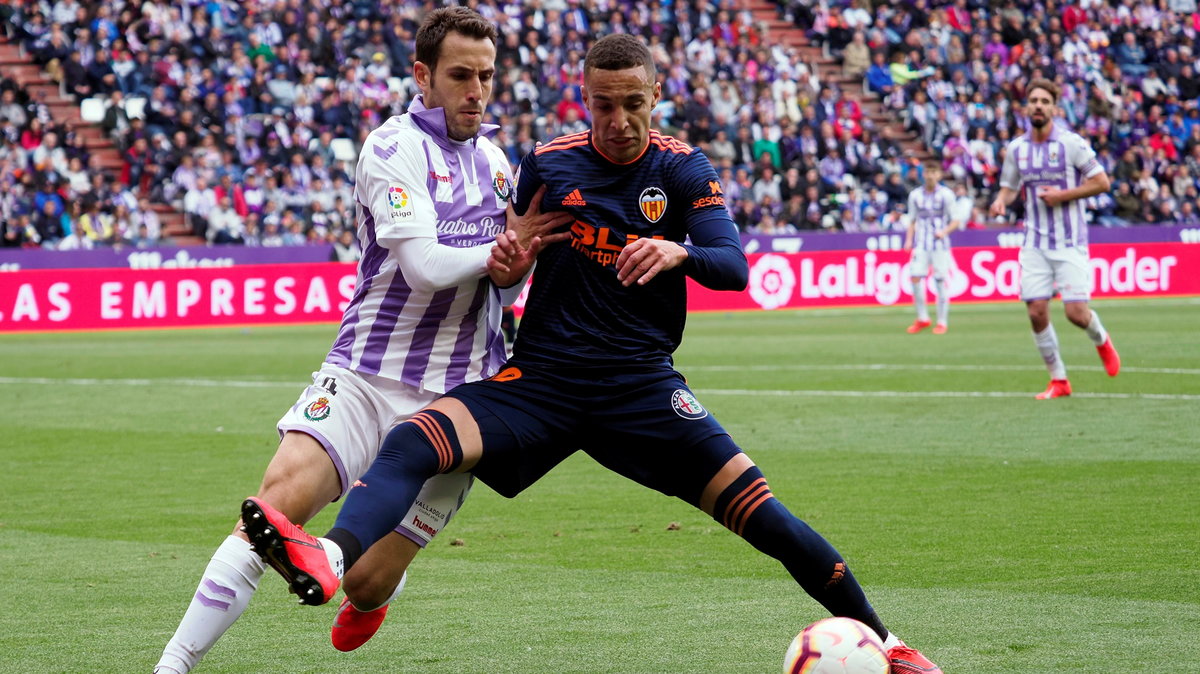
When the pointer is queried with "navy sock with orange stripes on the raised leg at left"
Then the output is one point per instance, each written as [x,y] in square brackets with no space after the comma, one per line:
[413,453]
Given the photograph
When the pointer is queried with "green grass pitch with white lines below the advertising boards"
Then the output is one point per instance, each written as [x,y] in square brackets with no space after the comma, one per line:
[994,532]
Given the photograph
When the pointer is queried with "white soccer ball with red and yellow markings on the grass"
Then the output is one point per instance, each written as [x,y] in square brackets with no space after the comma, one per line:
[837,646]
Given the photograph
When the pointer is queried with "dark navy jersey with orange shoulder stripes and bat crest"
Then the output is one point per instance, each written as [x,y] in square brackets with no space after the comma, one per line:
[578,314]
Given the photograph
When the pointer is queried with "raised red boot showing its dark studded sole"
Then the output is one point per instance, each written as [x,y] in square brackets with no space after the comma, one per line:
[292,552]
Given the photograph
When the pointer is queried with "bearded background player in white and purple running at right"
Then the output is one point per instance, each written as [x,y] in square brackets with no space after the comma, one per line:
[1057,171]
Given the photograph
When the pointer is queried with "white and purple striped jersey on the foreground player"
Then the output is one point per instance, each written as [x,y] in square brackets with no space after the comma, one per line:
[413,180]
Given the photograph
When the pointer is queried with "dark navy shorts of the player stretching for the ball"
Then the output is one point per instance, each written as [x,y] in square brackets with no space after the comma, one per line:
[645,425]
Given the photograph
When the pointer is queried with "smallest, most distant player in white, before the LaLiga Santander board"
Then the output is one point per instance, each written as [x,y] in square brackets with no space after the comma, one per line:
[931,224]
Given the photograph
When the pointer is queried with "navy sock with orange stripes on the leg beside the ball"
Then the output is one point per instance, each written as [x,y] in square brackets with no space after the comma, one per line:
[748,509]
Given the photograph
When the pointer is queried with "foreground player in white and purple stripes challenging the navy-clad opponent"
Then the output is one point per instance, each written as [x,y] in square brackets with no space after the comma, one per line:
[424,318]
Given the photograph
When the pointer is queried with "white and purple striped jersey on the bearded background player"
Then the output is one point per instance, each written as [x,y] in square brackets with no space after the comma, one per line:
[1065,161]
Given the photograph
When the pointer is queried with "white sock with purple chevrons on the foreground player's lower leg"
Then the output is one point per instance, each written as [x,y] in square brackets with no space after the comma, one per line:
[224,593]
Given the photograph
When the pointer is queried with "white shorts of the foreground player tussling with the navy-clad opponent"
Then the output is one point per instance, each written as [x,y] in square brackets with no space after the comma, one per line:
[351,414]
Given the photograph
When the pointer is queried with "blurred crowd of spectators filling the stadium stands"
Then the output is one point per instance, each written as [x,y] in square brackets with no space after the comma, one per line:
[247,116]
